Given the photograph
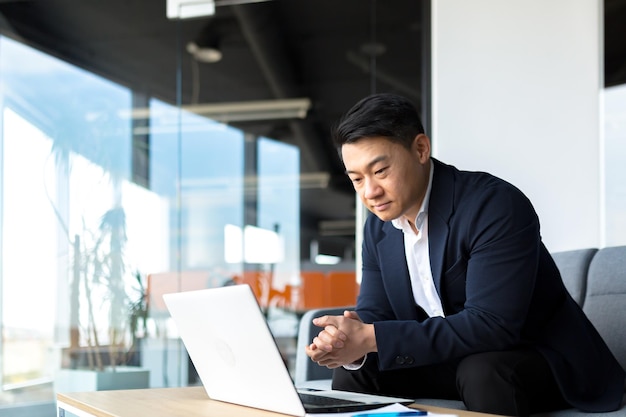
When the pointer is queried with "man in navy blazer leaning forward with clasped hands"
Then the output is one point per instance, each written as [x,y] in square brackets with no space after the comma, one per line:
[459,297]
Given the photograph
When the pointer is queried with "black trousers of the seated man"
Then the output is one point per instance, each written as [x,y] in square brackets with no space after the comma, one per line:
[513,383]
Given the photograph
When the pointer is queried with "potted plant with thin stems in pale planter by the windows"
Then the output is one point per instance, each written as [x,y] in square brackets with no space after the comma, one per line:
[108,312]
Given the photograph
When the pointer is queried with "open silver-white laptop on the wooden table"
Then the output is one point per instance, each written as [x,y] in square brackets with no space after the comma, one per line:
[238,361]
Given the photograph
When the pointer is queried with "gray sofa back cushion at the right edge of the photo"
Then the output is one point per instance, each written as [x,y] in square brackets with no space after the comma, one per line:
[605,302]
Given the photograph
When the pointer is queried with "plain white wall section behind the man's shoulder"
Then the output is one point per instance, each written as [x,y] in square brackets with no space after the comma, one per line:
[516,92]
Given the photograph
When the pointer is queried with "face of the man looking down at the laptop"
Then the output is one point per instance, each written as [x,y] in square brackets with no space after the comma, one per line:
[390,179]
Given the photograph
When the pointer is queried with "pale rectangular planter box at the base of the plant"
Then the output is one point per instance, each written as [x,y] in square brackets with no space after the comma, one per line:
[122,377]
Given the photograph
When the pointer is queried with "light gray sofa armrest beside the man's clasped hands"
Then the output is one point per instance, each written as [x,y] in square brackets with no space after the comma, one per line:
[308,374]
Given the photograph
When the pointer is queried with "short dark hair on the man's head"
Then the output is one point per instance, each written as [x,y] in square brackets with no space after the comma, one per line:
[380,115]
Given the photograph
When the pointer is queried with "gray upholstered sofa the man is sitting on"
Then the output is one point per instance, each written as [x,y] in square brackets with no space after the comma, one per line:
[596,279]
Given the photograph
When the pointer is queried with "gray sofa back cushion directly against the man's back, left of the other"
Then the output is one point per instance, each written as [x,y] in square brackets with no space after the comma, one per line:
[574,265]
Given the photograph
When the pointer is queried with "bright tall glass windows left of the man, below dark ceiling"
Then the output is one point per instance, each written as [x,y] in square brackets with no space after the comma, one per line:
[105,206]
